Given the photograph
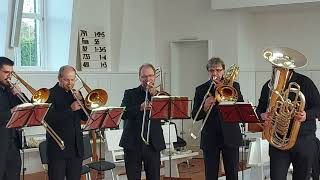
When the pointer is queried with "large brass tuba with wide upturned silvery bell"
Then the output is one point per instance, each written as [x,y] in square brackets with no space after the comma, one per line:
[282,131]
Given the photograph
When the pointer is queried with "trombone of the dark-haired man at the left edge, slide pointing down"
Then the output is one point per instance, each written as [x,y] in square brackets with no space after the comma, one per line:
[39,96]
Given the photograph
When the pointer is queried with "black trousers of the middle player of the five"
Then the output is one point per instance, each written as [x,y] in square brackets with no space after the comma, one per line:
[151,162]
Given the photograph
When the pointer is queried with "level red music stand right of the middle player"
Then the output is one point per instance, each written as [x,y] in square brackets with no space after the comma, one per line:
[168,108]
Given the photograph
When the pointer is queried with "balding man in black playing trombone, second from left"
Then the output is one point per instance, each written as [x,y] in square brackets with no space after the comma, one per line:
[64,117]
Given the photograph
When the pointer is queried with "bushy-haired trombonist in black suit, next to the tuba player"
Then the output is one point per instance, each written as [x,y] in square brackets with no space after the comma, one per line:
[217,136]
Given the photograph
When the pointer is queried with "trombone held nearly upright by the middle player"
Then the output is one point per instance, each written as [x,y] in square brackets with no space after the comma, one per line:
[157,92]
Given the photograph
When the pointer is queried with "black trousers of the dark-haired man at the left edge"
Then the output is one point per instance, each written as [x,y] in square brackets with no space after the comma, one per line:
[10,164]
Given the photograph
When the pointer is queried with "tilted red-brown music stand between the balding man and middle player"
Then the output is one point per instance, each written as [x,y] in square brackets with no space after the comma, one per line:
[104,117]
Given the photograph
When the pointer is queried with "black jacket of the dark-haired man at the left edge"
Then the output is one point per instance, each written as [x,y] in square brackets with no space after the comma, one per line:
[7,136]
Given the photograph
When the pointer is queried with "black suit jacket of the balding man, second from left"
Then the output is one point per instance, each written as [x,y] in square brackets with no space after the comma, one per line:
[66,123]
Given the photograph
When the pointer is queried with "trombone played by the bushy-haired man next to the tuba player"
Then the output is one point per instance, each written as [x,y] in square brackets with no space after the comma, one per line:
[225,93]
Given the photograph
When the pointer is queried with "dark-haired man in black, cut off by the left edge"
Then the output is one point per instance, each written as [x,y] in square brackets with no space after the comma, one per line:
[10,142]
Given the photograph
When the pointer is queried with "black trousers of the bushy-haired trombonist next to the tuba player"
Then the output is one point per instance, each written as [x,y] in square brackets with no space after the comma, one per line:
[230,156]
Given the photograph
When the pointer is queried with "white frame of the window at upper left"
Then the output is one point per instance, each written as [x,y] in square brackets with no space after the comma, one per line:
[42,37]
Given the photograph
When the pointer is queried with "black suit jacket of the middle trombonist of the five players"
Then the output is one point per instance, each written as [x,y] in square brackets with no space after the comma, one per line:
[132,117]
